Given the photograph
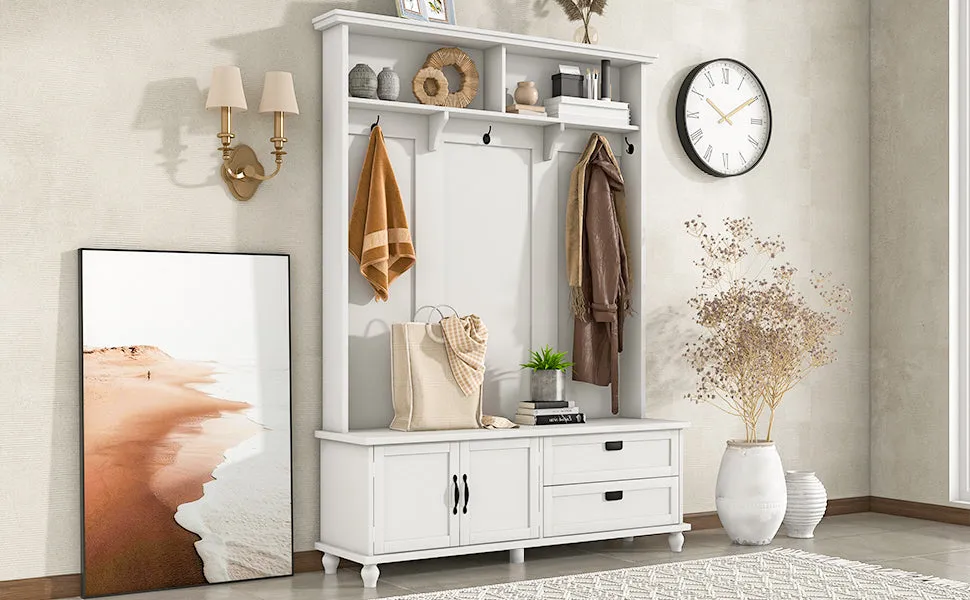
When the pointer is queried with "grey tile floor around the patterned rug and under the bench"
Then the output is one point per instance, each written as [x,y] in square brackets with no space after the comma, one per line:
[909,544]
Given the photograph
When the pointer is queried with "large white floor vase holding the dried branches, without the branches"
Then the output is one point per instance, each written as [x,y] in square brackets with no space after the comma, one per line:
[751,495]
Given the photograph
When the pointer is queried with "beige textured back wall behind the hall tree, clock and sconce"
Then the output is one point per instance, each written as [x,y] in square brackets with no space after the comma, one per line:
[105,143]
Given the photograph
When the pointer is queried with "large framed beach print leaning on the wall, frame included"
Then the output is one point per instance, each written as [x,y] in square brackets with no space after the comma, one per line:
[185,419]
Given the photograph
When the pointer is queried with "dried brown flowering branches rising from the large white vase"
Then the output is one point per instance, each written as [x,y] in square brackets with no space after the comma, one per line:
[761,337]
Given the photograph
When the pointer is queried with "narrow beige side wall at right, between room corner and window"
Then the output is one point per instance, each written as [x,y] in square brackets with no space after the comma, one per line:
[909,229]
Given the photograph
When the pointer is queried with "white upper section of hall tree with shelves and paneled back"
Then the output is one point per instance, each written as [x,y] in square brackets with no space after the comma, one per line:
[509,195]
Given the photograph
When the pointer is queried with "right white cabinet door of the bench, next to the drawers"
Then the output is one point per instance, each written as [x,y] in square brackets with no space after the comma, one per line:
[501,500]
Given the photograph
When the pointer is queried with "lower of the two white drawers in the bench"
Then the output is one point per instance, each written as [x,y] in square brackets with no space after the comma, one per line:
[610,506]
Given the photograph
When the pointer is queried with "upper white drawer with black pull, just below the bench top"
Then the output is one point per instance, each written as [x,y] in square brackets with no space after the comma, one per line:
[610,457]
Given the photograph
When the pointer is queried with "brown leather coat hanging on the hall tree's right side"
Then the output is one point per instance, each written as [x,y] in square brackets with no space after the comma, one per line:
[605,298]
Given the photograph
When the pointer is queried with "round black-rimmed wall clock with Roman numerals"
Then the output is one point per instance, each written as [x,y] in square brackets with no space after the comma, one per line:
[723,117]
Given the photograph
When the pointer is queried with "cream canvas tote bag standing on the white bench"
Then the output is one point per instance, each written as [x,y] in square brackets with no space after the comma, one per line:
[424,392]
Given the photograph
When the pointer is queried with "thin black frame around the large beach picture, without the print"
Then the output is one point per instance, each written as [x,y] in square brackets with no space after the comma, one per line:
[81,378]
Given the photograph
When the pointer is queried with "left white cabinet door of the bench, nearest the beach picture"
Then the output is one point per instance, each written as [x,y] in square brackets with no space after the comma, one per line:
[414,497]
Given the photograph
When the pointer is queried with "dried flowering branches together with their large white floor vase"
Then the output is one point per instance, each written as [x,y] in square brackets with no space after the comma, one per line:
[761,338]
